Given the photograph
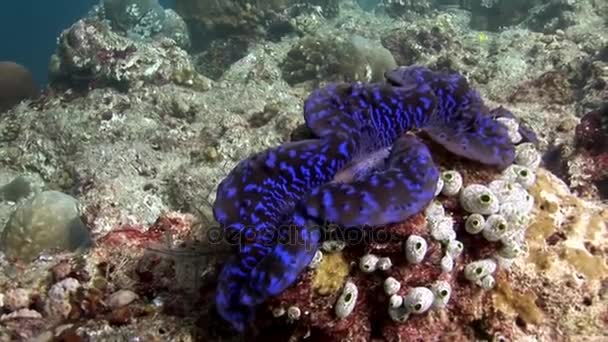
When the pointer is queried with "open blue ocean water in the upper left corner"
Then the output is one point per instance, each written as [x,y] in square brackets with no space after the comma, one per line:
[31,28]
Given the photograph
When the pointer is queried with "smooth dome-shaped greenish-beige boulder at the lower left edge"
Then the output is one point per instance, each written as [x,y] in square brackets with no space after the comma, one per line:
[47,222]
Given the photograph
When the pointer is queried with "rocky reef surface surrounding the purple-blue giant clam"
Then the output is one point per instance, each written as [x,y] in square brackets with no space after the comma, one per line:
[107,180]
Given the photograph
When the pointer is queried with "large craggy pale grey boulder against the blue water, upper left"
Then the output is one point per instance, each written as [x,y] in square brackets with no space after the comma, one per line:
[90,54]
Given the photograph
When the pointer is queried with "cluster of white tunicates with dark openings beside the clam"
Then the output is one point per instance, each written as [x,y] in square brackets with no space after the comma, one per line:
[499,211]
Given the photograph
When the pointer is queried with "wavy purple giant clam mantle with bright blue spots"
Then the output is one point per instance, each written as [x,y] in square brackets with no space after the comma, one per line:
[277,201]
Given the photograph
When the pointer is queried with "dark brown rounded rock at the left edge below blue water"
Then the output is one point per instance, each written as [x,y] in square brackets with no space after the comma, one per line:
[16,85]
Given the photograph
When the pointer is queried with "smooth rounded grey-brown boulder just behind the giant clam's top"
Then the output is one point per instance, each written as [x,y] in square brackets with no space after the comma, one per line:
[334,58]
